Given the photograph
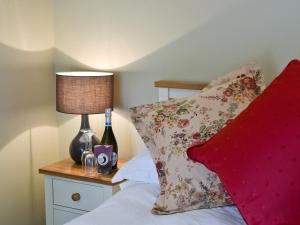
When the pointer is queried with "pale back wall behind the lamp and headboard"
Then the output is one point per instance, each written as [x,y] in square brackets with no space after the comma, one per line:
[145,40]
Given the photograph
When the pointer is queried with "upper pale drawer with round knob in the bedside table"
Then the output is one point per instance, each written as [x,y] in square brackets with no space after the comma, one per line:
[77,195]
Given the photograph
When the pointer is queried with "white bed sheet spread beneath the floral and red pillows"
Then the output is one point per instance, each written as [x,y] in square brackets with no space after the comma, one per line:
[132,205]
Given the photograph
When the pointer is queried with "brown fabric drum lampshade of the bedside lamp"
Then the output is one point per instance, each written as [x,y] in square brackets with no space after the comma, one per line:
[84,92]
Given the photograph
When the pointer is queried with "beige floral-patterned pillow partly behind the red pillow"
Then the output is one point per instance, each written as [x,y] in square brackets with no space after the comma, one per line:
[168,128]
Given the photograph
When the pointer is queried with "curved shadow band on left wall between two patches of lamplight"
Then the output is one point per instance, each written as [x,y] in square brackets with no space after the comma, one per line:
[27,92]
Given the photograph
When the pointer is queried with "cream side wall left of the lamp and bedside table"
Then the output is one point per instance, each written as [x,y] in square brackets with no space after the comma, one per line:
[28,134]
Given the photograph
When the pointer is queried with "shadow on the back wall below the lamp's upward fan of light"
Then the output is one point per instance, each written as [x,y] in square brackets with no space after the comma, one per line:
[239,35]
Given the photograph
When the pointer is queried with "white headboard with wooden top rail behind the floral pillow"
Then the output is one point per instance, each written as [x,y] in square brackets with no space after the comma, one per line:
[177,89]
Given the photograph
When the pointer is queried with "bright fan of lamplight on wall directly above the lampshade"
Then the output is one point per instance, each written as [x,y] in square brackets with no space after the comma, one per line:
[109,35]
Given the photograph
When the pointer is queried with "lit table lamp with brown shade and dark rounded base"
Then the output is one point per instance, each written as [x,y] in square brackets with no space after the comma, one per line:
[84,93]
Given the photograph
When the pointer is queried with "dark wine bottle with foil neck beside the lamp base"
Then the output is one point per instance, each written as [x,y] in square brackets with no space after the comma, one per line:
[108,138]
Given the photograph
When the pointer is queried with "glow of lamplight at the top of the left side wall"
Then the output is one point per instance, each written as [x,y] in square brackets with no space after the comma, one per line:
[19,28]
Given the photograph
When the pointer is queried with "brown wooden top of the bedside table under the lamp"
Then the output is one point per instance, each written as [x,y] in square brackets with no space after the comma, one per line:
[69,169]
